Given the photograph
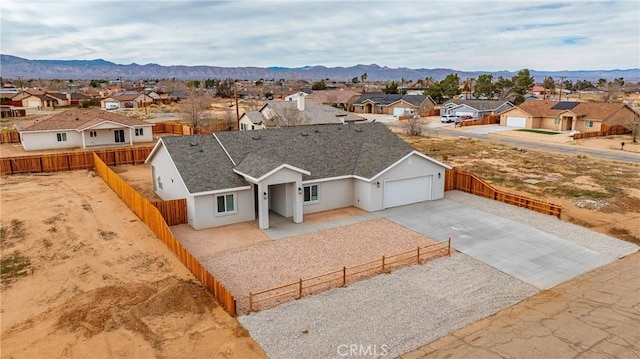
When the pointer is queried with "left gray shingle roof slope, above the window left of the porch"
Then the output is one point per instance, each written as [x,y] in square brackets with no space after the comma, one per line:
[202,163]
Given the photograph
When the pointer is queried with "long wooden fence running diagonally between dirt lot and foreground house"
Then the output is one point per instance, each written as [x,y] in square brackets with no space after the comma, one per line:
[152,217]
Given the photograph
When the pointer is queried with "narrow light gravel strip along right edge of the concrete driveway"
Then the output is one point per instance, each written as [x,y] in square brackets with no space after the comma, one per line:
[570,232]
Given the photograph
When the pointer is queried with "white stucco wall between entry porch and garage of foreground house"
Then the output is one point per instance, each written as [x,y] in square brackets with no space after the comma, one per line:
[331,195]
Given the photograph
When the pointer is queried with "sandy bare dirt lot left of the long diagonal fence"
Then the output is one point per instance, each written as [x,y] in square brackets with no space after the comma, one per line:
[84,277]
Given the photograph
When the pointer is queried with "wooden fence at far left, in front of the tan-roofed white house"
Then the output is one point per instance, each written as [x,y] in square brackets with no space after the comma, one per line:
[69,161]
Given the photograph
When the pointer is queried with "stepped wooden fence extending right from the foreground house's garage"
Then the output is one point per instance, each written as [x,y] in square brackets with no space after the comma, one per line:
[470,183]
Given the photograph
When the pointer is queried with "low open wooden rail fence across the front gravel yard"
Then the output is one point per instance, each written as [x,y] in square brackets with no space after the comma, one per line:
[340,276]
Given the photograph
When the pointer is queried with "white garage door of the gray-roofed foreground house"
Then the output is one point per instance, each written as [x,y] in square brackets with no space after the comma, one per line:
[406,191]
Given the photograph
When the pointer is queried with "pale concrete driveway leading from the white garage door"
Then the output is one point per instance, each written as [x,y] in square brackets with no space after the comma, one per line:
[524,252]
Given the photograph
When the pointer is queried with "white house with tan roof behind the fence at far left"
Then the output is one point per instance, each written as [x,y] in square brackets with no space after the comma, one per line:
[82,128]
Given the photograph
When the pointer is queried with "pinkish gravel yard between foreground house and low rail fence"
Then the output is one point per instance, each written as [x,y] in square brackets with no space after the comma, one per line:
[274,263]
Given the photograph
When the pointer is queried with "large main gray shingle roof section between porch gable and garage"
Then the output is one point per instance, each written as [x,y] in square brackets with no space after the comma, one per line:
[324,150]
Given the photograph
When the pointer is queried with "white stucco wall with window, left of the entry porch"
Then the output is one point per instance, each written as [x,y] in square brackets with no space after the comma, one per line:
[205,215]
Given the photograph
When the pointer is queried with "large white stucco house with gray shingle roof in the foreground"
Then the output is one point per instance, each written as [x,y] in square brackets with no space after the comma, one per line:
[234,176]
